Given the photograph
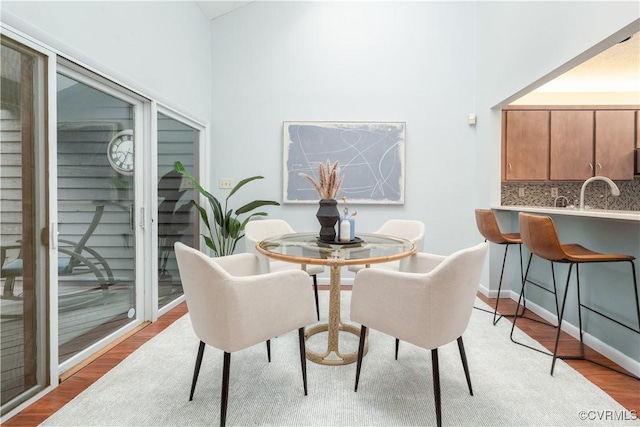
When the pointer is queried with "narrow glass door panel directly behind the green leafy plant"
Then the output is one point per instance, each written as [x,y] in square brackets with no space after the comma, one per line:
[176,142]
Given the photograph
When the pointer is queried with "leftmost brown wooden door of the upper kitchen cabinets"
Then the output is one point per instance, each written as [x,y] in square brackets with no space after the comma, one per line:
[527,146]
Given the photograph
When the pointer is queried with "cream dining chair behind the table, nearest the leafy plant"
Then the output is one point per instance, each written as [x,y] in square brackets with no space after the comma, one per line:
[258,230]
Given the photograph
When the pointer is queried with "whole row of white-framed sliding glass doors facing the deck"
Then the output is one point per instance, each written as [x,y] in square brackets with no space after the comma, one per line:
[79,218]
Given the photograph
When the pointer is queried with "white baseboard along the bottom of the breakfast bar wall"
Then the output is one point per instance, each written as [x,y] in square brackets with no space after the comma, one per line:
[606,350]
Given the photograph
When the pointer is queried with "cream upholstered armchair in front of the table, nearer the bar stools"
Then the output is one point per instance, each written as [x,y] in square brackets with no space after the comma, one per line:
[429,305]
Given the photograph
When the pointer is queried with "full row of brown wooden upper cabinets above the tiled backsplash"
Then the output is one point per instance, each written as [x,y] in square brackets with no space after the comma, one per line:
[569,143]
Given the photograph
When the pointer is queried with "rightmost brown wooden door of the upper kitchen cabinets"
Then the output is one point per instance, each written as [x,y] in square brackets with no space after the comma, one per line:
[614,142]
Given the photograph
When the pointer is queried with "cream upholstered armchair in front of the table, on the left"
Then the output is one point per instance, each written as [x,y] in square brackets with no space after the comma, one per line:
[232,306]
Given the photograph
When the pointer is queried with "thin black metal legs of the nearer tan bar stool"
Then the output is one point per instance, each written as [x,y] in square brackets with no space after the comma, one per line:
[580,307]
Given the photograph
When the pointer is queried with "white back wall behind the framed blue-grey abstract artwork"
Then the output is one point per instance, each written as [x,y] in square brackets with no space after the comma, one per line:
[357,61]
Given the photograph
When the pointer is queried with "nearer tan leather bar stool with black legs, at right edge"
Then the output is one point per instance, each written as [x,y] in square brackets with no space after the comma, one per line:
[539,235]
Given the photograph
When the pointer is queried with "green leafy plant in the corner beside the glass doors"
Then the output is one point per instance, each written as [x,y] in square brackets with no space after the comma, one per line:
[226,229]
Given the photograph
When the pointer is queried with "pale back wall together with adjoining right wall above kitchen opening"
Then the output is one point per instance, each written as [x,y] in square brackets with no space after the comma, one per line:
[426,63]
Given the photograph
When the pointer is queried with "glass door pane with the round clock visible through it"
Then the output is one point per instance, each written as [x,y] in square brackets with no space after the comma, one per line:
[96,211]
